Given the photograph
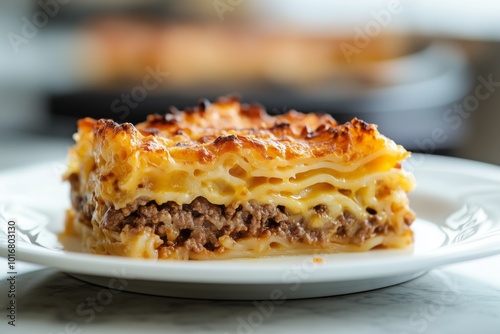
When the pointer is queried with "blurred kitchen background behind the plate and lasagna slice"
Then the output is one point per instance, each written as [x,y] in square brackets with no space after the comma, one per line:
[427,72]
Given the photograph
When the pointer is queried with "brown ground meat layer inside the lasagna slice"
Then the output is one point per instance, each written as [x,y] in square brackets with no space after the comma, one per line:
[200,224]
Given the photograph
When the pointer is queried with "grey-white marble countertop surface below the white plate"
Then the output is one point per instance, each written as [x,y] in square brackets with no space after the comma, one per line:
[462,298]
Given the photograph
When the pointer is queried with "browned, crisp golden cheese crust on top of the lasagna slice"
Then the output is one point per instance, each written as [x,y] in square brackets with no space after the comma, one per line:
[201,134]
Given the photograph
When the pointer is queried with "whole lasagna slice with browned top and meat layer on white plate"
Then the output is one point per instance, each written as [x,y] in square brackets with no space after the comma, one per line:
[226,180]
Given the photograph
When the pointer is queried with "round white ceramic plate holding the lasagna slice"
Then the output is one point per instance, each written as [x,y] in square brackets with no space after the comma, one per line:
[457,203]
